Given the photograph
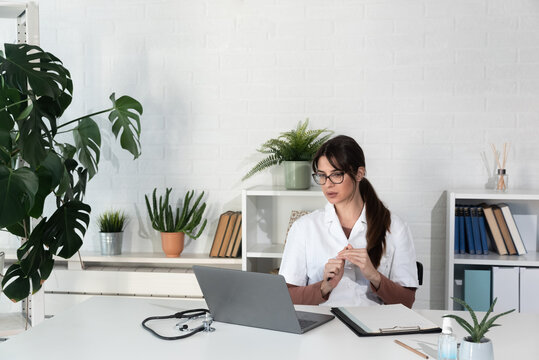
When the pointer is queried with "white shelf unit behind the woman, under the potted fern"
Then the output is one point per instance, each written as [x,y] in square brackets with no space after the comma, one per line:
[265,217]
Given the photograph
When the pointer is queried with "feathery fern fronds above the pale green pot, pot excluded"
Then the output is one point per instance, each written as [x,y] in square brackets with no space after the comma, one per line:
[300,144]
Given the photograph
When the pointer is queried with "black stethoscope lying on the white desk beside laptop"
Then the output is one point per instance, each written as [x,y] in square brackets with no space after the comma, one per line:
[182,326]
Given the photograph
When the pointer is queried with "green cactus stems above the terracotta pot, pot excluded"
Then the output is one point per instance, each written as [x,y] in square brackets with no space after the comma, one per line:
[185,220]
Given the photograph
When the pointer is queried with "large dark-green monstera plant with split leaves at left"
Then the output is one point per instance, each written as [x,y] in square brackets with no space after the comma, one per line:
[36,162]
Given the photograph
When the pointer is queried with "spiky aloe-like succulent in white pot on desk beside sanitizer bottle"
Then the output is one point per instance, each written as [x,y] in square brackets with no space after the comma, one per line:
[476,346]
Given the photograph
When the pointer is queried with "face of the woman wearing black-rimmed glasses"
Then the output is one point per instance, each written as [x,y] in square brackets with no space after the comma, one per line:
[337,193]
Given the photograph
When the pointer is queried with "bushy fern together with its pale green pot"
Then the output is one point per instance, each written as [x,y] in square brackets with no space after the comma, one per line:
[296,149]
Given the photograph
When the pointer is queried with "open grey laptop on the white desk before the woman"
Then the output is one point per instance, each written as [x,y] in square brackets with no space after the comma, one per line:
[253,299]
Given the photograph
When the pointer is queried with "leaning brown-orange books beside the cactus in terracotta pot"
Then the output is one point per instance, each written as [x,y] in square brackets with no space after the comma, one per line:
[227,240]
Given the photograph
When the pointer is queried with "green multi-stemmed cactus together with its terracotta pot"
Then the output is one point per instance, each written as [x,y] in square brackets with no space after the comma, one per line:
[174,225]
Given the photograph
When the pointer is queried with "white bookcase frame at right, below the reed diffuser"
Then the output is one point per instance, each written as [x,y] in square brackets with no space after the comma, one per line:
[520,202]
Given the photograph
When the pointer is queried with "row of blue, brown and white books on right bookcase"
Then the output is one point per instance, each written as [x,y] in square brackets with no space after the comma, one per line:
[483,227]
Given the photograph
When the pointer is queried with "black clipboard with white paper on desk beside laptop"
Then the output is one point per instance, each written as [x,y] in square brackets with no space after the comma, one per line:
[383,320]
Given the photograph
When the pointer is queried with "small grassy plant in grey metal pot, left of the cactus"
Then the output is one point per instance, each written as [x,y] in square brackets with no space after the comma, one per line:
[111,226]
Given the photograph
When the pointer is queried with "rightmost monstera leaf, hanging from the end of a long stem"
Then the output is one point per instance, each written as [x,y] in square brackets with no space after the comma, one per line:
[124,119]
